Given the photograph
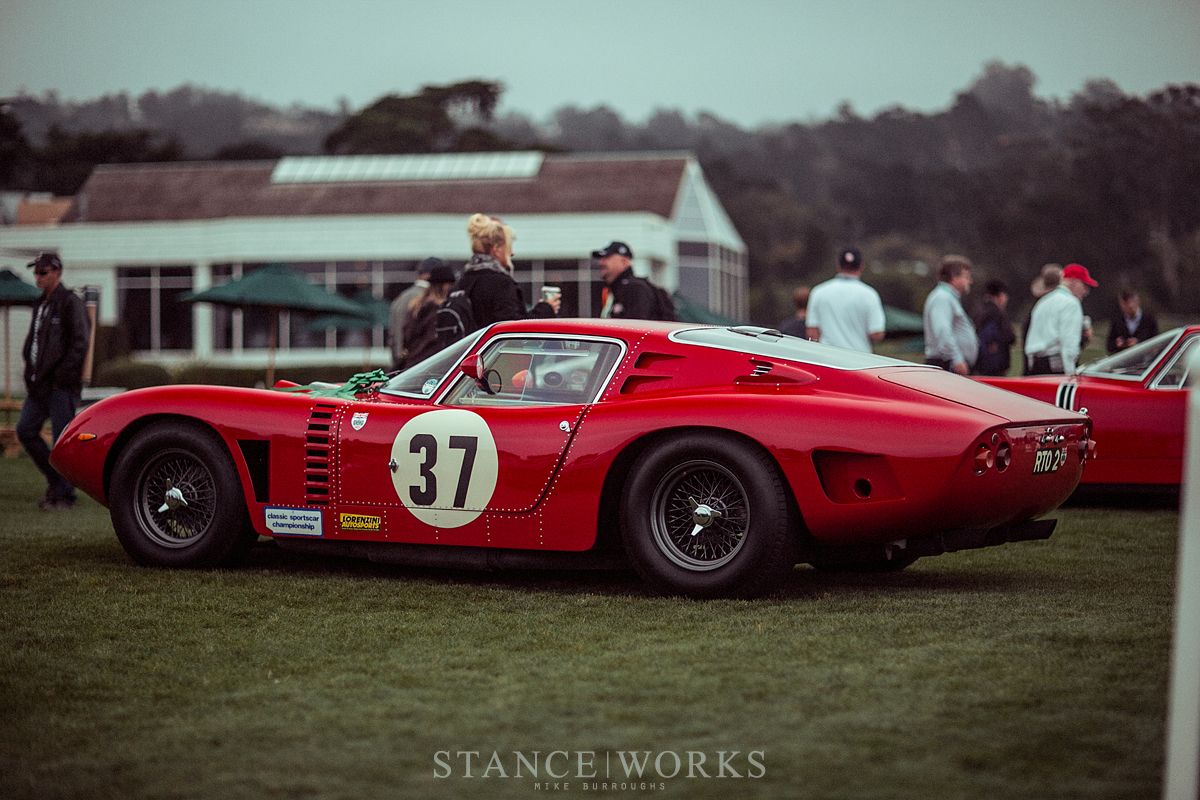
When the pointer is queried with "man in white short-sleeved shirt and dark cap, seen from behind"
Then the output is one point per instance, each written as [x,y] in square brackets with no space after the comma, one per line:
[844,311]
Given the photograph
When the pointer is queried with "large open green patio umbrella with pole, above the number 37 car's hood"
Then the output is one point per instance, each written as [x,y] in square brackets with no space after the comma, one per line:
[275,288]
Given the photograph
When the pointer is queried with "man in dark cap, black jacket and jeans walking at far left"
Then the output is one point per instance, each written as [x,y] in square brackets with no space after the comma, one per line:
[55,354]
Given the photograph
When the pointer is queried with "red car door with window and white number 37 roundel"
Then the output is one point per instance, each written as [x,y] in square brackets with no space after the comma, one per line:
[436,473]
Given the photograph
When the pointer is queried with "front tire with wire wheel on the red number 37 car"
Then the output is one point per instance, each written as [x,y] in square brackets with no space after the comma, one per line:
[208,528]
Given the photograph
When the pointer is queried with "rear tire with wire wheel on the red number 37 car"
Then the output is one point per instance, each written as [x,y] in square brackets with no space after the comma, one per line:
[706,515]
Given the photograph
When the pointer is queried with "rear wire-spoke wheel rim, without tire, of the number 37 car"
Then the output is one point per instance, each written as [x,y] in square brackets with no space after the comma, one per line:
[700,515]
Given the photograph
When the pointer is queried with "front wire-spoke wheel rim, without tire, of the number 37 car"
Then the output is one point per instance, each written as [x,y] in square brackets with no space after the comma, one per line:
[176,498]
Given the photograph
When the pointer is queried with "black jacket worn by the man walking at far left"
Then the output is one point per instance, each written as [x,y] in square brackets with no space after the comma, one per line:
[62,344]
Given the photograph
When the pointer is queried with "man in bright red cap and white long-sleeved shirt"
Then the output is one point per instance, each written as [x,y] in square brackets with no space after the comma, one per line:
[1053,344]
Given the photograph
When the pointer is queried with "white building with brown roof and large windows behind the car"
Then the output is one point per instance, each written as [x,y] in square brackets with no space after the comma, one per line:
[148,233]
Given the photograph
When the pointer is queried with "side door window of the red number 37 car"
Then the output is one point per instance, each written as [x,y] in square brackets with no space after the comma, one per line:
[533,371]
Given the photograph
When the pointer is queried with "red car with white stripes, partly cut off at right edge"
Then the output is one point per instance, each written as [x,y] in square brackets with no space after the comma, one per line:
[1138,402]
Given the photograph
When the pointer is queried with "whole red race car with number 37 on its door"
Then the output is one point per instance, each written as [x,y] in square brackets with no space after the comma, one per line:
[712,459]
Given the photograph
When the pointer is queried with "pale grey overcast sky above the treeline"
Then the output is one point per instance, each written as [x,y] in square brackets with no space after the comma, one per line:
[749,62]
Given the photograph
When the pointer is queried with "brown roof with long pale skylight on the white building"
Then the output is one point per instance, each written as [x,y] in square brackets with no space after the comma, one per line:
[383,185]
